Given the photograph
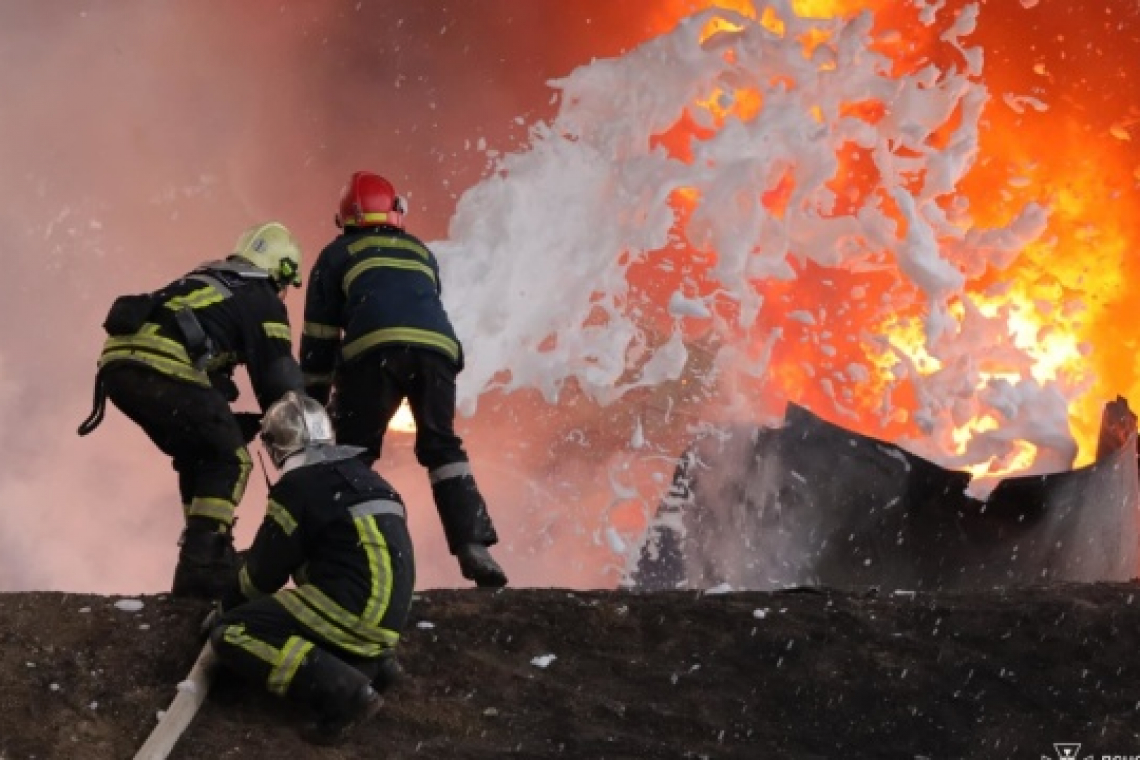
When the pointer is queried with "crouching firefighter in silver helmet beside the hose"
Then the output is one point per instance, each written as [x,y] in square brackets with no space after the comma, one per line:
[340,532]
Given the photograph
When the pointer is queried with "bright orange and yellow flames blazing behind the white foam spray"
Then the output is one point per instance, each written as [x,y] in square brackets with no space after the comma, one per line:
[1061,297]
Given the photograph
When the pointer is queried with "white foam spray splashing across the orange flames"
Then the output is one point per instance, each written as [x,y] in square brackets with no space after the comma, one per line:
[540,254]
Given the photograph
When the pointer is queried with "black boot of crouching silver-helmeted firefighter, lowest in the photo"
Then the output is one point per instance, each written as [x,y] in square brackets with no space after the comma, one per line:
[340,697]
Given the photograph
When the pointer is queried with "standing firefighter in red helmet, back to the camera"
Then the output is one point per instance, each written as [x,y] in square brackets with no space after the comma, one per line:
[377,333]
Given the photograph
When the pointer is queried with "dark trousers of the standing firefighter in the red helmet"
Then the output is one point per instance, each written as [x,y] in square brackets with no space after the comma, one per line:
[369,391]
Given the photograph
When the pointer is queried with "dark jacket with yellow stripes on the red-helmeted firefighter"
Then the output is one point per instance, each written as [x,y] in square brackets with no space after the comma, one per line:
[372,288]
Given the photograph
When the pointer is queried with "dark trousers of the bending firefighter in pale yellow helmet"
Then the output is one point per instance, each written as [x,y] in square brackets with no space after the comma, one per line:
[196,428]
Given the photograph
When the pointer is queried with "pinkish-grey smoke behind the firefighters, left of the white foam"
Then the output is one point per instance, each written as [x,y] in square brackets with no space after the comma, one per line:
[141,138]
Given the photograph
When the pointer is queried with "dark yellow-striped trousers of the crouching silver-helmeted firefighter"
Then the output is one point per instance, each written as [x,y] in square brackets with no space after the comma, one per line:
[264,644]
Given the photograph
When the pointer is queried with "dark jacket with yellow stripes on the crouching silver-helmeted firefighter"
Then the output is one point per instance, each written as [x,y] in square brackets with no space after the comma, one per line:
[338,529]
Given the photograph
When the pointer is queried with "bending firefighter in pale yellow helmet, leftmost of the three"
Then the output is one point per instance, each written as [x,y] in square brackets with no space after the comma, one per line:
[168,365]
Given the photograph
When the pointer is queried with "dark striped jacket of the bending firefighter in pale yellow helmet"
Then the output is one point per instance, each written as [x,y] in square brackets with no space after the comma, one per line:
[241,318]
